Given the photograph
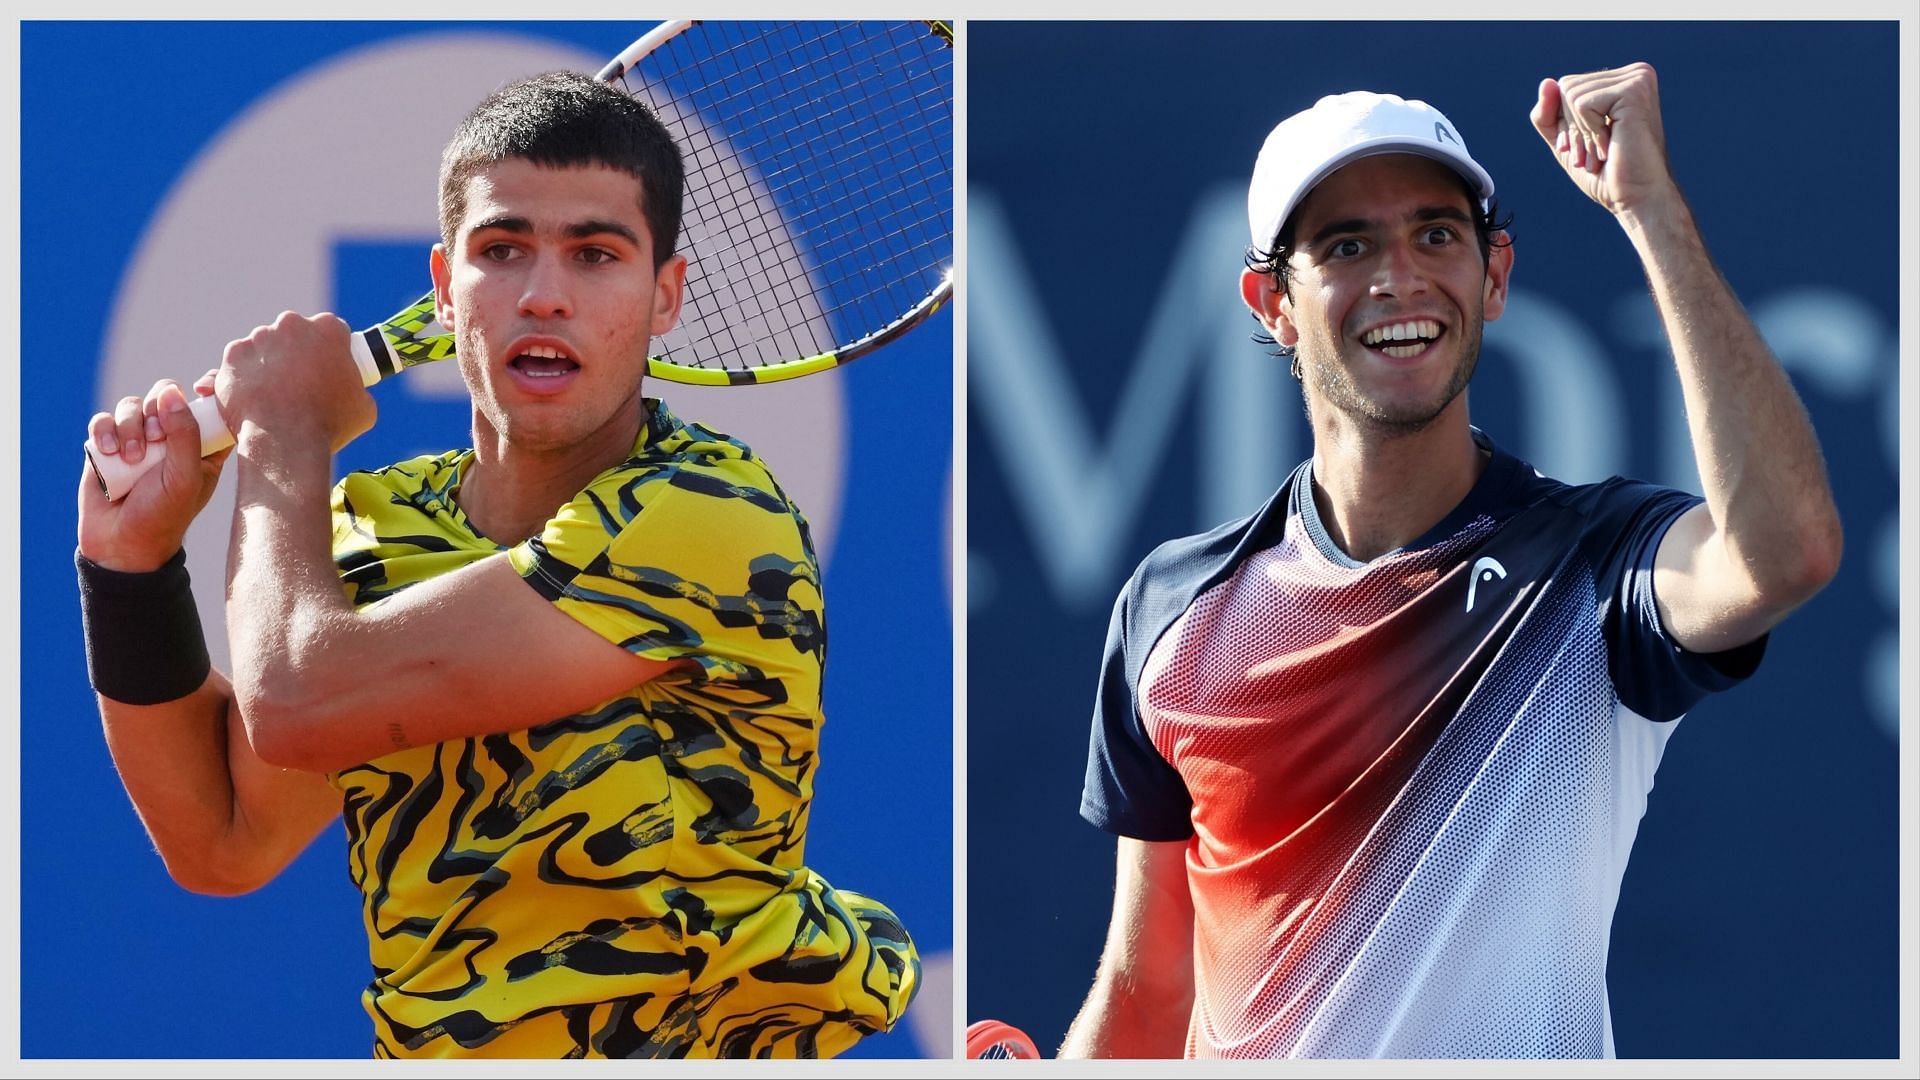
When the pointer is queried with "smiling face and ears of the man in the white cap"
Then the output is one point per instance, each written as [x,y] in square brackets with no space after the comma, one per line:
[1387,293]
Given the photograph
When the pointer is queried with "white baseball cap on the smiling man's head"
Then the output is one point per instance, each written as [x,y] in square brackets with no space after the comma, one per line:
[1337,132]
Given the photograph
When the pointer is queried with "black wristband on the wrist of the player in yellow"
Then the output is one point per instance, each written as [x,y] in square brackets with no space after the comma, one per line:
[143,633]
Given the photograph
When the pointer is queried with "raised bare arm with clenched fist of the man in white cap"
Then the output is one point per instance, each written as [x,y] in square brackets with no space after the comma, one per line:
[1769,535]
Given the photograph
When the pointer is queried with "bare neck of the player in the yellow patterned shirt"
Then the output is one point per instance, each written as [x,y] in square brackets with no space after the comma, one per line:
[512,493]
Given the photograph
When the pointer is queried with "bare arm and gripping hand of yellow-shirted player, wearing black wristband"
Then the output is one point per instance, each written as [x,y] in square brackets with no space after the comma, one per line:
[222,820]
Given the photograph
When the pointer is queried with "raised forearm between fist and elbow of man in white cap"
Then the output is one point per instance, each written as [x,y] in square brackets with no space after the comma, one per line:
[1760,462]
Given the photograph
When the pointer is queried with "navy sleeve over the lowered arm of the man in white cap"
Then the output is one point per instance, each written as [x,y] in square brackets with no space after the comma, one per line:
[1130,789]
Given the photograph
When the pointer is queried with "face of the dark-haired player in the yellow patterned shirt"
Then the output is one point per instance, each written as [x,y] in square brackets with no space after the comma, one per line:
[552,295]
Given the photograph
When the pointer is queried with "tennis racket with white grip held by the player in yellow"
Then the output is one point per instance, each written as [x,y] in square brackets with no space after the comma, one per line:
[817,218]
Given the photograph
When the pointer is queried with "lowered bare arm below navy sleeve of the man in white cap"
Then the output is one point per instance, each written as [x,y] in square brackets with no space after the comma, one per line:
[1143,993]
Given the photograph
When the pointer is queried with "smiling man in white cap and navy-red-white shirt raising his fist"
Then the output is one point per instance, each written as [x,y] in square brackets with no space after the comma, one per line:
[1378,754]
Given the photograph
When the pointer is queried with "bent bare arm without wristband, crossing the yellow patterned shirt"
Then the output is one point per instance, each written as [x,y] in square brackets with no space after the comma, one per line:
[325,687]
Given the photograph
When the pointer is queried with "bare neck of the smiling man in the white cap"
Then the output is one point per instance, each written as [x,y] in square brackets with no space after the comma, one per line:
[1381,491]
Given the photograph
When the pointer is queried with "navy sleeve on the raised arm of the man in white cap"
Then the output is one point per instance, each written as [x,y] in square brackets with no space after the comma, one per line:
[1652,674]
